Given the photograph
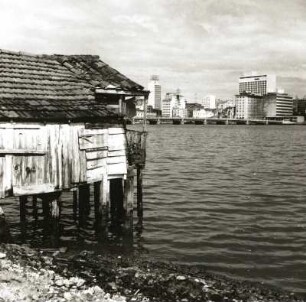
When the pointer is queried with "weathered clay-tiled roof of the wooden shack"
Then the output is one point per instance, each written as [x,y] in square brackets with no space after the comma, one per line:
[55,87]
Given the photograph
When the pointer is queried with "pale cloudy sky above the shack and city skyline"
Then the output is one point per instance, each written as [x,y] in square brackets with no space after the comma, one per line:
[198,46]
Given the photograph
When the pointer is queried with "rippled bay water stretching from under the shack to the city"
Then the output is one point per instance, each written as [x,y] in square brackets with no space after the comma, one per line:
[231,199]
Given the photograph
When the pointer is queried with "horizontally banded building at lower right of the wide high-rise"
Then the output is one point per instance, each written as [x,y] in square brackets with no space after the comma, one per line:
[278,105]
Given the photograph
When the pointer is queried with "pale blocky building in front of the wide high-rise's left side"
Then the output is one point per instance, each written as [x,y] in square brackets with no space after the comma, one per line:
[249,106]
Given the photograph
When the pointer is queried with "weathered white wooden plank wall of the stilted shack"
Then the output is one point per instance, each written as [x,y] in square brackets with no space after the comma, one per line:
[44,158]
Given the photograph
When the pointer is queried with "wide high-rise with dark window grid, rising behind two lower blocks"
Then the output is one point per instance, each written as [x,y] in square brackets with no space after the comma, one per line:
[257,84]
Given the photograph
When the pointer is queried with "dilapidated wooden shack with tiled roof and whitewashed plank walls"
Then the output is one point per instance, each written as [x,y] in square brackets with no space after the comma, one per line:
[62,128]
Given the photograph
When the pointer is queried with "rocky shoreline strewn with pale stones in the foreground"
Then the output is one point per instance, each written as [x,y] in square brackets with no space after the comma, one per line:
[33,275]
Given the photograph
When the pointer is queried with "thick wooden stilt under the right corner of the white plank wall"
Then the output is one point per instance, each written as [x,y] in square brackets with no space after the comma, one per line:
[129,195]
